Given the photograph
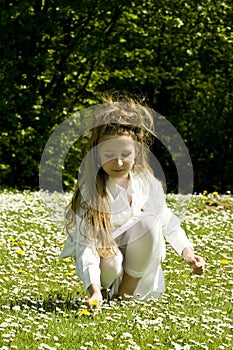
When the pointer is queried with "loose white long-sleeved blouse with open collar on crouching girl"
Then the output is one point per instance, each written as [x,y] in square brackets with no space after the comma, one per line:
[147,199]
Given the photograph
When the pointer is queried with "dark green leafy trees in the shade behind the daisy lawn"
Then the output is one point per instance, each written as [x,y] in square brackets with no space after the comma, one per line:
[60,56]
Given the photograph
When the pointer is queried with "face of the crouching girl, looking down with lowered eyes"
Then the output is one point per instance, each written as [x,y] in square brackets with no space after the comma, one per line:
[117,155]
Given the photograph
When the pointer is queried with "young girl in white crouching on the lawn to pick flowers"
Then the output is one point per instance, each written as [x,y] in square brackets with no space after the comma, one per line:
[118,216]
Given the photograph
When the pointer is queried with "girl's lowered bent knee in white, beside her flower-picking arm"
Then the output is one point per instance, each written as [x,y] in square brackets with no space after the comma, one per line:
[111,268]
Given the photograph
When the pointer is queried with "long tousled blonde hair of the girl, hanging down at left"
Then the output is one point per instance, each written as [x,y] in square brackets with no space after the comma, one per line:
[89,200]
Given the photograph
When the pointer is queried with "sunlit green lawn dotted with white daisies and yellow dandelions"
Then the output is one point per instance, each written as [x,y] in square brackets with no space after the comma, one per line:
[41,299]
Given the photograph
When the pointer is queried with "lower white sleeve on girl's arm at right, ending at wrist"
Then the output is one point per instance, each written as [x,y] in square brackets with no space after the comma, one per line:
[173,232]
